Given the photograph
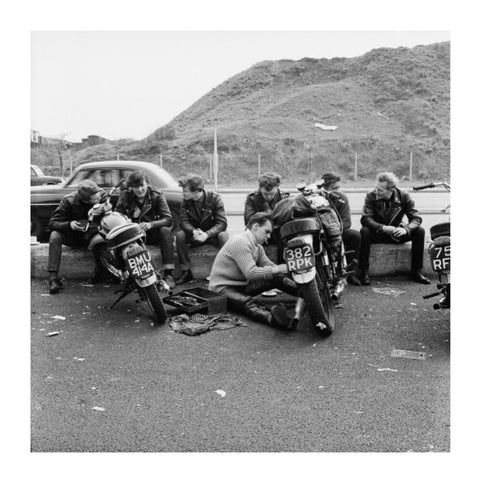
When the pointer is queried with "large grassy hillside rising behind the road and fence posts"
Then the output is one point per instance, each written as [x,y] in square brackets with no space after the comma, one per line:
[385,104]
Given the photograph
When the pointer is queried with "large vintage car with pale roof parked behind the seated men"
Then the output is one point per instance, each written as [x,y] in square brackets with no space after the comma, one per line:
[45,199]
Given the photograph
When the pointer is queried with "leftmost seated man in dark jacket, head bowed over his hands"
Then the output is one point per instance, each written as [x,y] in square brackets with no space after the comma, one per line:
[68,225]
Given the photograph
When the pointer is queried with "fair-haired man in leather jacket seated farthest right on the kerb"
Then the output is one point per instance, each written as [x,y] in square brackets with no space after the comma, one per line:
[381,221]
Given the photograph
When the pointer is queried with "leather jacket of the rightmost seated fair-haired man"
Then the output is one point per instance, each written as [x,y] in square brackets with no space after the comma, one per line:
[375,216]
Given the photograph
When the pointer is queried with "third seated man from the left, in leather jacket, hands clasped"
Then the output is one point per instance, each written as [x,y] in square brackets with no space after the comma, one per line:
[202,221]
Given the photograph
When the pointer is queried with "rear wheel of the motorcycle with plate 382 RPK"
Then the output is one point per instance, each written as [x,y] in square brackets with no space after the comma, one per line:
[319,305]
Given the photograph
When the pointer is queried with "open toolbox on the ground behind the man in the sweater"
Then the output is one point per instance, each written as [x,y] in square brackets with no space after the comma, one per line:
[198,300]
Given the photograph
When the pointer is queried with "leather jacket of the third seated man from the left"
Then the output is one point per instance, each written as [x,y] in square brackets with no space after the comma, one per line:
[208,214]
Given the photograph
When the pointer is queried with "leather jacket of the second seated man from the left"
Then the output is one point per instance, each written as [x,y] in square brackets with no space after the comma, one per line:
[155,209]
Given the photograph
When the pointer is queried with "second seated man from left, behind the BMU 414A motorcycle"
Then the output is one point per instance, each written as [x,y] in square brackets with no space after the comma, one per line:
[148,207]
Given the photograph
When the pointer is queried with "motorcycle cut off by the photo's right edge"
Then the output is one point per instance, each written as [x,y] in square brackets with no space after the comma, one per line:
[439,252]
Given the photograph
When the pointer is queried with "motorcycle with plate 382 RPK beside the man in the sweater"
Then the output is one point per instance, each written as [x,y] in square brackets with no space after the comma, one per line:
[315,264]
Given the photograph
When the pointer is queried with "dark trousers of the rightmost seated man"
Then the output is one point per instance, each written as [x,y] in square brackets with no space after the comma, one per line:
[368,237]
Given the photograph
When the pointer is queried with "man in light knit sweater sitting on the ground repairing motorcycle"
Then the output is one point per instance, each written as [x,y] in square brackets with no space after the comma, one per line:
[242,269]
